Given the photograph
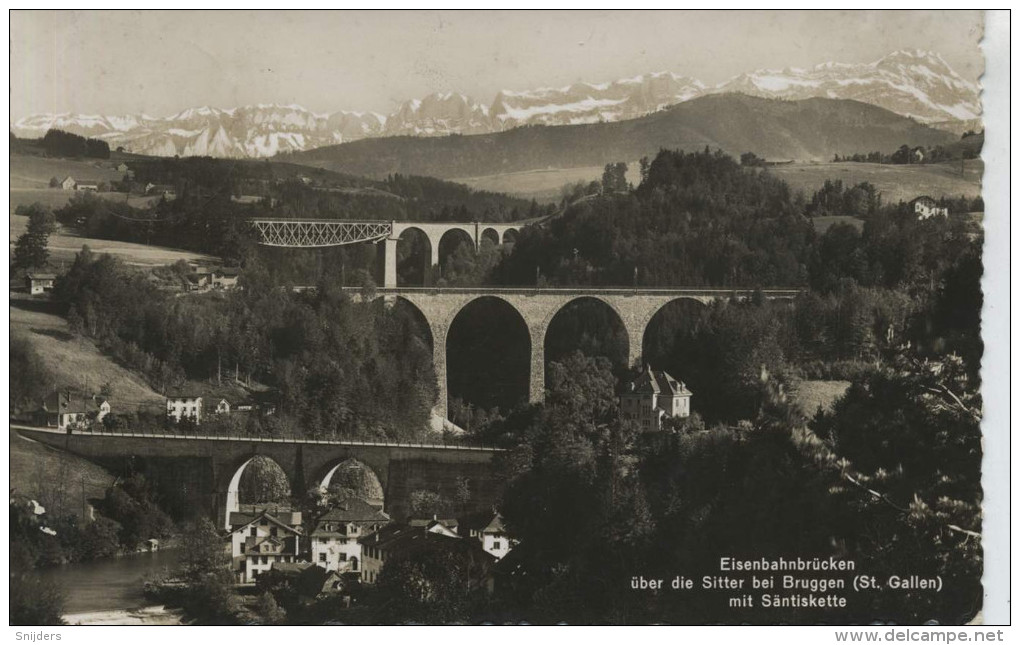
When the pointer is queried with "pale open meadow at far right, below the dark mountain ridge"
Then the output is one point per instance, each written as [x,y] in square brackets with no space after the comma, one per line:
[896,183]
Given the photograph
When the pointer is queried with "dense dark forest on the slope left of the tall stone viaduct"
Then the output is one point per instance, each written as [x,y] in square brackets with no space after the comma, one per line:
[342,369]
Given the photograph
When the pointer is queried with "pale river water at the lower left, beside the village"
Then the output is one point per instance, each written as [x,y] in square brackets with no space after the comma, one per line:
[110,584]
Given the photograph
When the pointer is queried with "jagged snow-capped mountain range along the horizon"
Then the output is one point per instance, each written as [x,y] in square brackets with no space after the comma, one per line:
[915,84]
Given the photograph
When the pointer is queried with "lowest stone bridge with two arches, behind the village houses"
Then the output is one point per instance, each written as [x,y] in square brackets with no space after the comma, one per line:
[201,474]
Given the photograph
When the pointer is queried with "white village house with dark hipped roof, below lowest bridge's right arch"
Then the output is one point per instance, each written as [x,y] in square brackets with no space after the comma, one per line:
[335,543]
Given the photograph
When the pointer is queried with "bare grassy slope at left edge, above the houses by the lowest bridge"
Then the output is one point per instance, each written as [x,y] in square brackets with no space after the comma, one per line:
[71,360]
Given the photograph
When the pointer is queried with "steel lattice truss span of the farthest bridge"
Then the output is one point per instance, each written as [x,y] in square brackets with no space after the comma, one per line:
[320,233]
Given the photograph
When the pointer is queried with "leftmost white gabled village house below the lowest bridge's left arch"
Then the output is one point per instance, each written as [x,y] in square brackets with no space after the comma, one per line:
[262,540]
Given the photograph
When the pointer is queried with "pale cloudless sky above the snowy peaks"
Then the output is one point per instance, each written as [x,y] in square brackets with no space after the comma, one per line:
[159,63]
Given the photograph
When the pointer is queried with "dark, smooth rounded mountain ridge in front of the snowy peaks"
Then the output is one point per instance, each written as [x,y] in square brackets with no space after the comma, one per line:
[806,129]
